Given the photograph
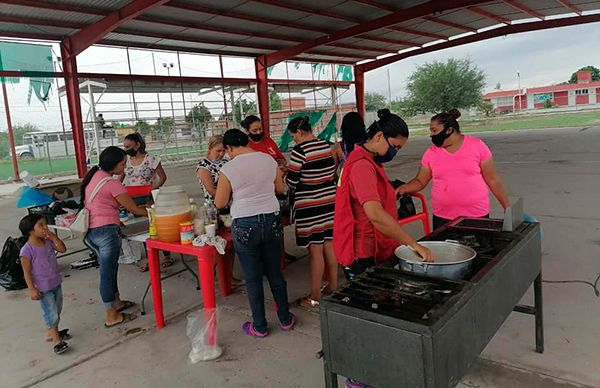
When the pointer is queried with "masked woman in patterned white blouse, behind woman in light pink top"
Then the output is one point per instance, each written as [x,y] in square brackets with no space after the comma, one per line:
[143,169]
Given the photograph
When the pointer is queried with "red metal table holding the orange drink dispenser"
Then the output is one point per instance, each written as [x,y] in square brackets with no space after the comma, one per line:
[207,258]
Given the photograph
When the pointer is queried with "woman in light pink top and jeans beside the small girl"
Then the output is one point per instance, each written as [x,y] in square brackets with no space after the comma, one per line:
[102,195]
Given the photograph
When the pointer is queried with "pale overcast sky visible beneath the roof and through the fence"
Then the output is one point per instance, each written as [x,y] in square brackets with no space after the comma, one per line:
[541,57]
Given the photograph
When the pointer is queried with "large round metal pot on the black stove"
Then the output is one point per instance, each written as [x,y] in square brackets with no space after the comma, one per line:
[451,259]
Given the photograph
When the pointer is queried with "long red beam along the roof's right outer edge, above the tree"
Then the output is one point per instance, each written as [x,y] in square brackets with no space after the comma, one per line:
[500,31]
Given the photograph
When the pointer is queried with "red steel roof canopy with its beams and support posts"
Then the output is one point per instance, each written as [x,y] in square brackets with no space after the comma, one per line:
[365,33]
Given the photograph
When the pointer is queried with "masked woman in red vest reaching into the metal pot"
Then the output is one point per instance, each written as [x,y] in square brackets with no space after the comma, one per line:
[366,229]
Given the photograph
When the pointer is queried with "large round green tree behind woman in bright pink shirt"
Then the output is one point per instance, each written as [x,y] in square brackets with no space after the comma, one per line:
[441,86]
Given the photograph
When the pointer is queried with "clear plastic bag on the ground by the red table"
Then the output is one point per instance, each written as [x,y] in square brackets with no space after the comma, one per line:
[202,332]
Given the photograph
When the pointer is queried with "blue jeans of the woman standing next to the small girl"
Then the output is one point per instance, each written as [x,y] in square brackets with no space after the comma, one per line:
[105,241]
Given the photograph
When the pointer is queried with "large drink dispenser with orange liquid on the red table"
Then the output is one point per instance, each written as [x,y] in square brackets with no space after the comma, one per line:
[172,207]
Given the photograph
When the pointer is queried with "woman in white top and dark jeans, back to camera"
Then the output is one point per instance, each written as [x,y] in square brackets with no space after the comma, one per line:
[251,179]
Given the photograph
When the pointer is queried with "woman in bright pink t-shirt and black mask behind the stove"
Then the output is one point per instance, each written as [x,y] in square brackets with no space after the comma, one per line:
[462,170]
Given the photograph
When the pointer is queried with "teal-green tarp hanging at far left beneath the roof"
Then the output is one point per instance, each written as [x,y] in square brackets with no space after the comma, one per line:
[28,58]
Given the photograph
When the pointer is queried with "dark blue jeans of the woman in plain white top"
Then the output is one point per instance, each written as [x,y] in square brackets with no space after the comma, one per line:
[257,241]
